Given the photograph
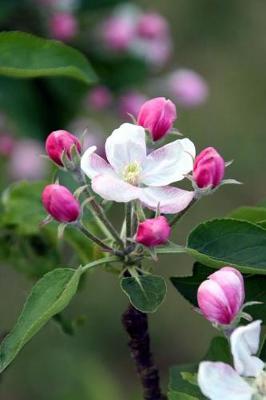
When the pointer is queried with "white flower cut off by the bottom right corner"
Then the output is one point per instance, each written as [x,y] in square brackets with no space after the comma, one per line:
[219,381]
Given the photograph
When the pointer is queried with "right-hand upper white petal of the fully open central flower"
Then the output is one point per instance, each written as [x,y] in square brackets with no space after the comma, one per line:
[169,163]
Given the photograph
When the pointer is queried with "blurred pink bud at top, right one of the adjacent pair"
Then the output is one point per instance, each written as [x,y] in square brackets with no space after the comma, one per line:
[151,26]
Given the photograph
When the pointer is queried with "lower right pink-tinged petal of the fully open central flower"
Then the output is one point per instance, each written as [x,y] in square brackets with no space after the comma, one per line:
[172,200]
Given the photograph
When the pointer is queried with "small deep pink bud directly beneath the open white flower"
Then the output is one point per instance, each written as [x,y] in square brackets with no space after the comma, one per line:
[153,232]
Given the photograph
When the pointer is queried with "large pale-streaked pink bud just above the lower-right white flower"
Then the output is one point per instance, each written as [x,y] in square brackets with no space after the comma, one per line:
[221,297]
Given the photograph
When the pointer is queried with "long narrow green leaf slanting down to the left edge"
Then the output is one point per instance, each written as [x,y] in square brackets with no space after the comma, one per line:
[48,297]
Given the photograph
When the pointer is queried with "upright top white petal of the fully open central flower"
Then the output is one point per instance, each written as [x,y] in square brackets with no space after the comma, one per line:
[125,145]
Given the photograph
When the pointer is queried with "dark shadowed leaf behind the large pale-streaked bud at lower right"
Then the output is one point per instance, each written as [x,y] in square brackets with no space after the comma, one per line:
[255,289]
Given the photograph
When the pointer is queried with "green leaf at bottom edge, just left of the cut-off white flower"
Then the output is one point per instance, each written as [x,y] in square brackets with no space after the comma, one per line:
[180,387]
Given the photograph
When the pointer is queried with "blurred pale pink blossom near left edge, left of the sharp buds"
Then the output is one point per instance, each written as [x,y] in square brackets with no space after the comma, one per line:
[26,161]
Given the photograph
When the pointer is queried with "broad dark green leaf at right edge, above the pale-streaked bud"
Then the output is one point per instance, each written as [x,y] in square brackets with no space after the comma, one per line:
[229,242]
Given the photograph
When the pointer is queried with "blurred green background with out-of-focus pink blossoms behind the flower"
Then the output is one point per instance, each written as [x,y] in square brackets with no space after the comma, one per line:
[206,55]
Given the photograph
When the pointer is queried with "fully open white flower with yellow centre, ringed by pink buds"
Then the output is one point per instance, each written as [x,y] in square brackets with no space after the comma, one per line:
[132,174]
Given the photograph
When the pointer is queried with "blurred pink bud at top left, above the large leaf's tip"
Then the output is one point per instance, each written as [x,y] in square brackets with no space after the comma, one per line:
[63,26]
